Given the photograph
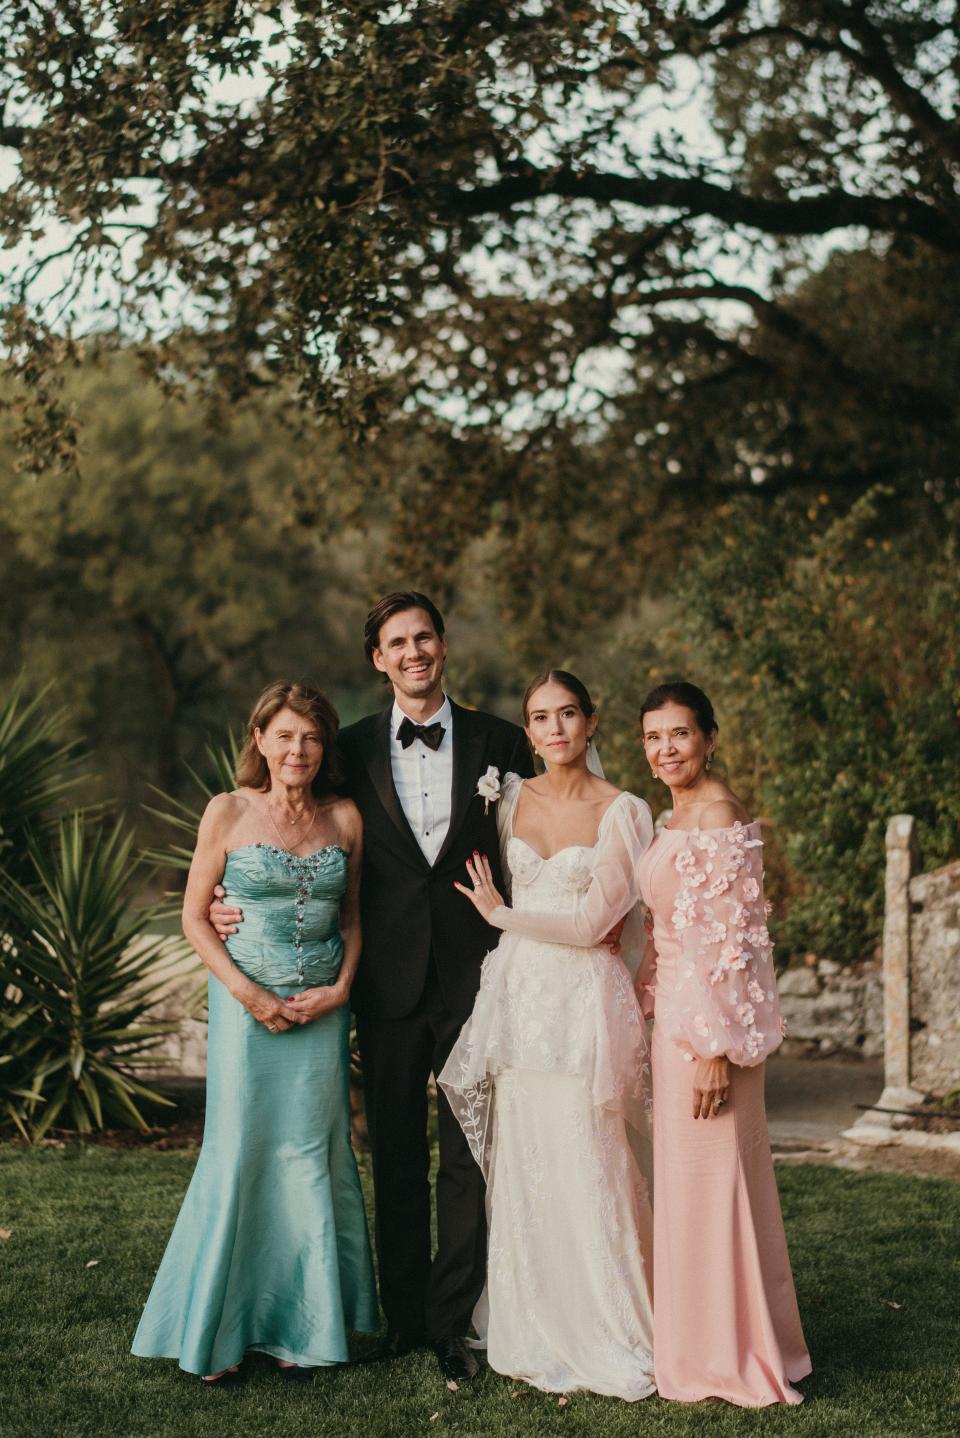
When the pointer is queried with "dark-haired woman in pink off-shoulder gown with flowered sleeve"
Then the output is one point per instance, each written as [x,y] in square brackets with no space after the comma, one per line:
[726,1322]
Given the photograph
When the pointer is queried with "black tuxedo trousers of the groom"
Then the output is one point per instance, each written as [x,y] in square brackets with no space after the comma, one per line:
[399,1056]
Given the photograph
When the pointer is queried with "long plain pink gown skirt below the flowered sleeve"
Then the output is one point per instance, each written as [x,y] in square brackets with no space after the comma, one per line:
[726,1322]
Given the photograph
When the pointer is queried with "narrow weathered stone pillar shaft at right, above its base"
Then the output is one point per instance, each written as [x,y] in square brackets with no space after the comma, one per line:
[902,865]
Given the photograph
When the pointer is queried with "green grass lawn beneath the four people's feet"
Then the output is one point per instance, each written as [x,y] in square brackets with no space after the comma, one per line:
[877,1263]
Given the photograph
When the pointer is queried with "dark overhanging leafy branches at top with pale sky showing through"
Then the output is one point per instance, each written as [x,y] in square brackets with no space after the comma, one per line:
[484,212]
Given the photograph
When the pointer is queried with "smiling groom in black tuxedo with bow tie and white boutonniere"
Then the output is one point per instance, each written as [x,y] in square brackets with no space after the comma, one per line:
[413,773]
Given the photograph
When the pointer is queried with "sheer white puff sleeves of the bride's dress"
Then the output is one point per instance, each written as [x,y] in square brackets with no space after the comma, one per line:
[626,832]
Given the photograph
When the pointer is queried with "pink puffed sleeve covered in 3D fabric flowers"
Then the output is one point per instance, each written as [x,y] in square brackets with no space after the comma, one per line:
[726,1002]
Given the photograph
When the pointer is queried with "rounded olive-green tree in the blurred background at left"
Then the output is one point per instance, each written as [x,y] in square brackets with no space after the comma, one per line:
[165,585]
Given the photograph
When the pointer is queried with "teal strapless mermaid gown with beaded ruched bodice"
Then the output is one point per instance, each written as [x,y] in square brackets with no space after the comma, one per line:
[271,1249]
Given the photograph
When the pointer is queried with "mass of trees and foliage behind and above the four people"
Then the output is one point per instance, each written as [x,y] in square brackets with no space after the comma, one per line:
[647,317]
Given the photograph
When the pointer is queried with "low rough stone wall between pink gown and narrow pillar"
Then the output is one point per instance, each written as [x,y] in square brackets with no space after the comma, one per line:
[841,1010]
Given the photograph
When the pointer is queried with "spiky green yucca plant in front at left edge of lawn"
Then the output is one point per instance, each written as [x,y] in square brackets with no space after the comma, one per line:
[80,981]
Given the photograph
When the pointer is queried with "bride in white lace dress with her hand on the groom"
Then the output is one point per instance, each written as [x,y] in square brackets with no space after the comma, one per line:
[550,1075]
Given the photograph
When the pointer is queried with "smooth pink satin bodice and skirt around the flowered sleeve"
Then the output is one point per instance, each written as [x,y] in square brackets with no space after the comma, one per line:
[725,1309]
